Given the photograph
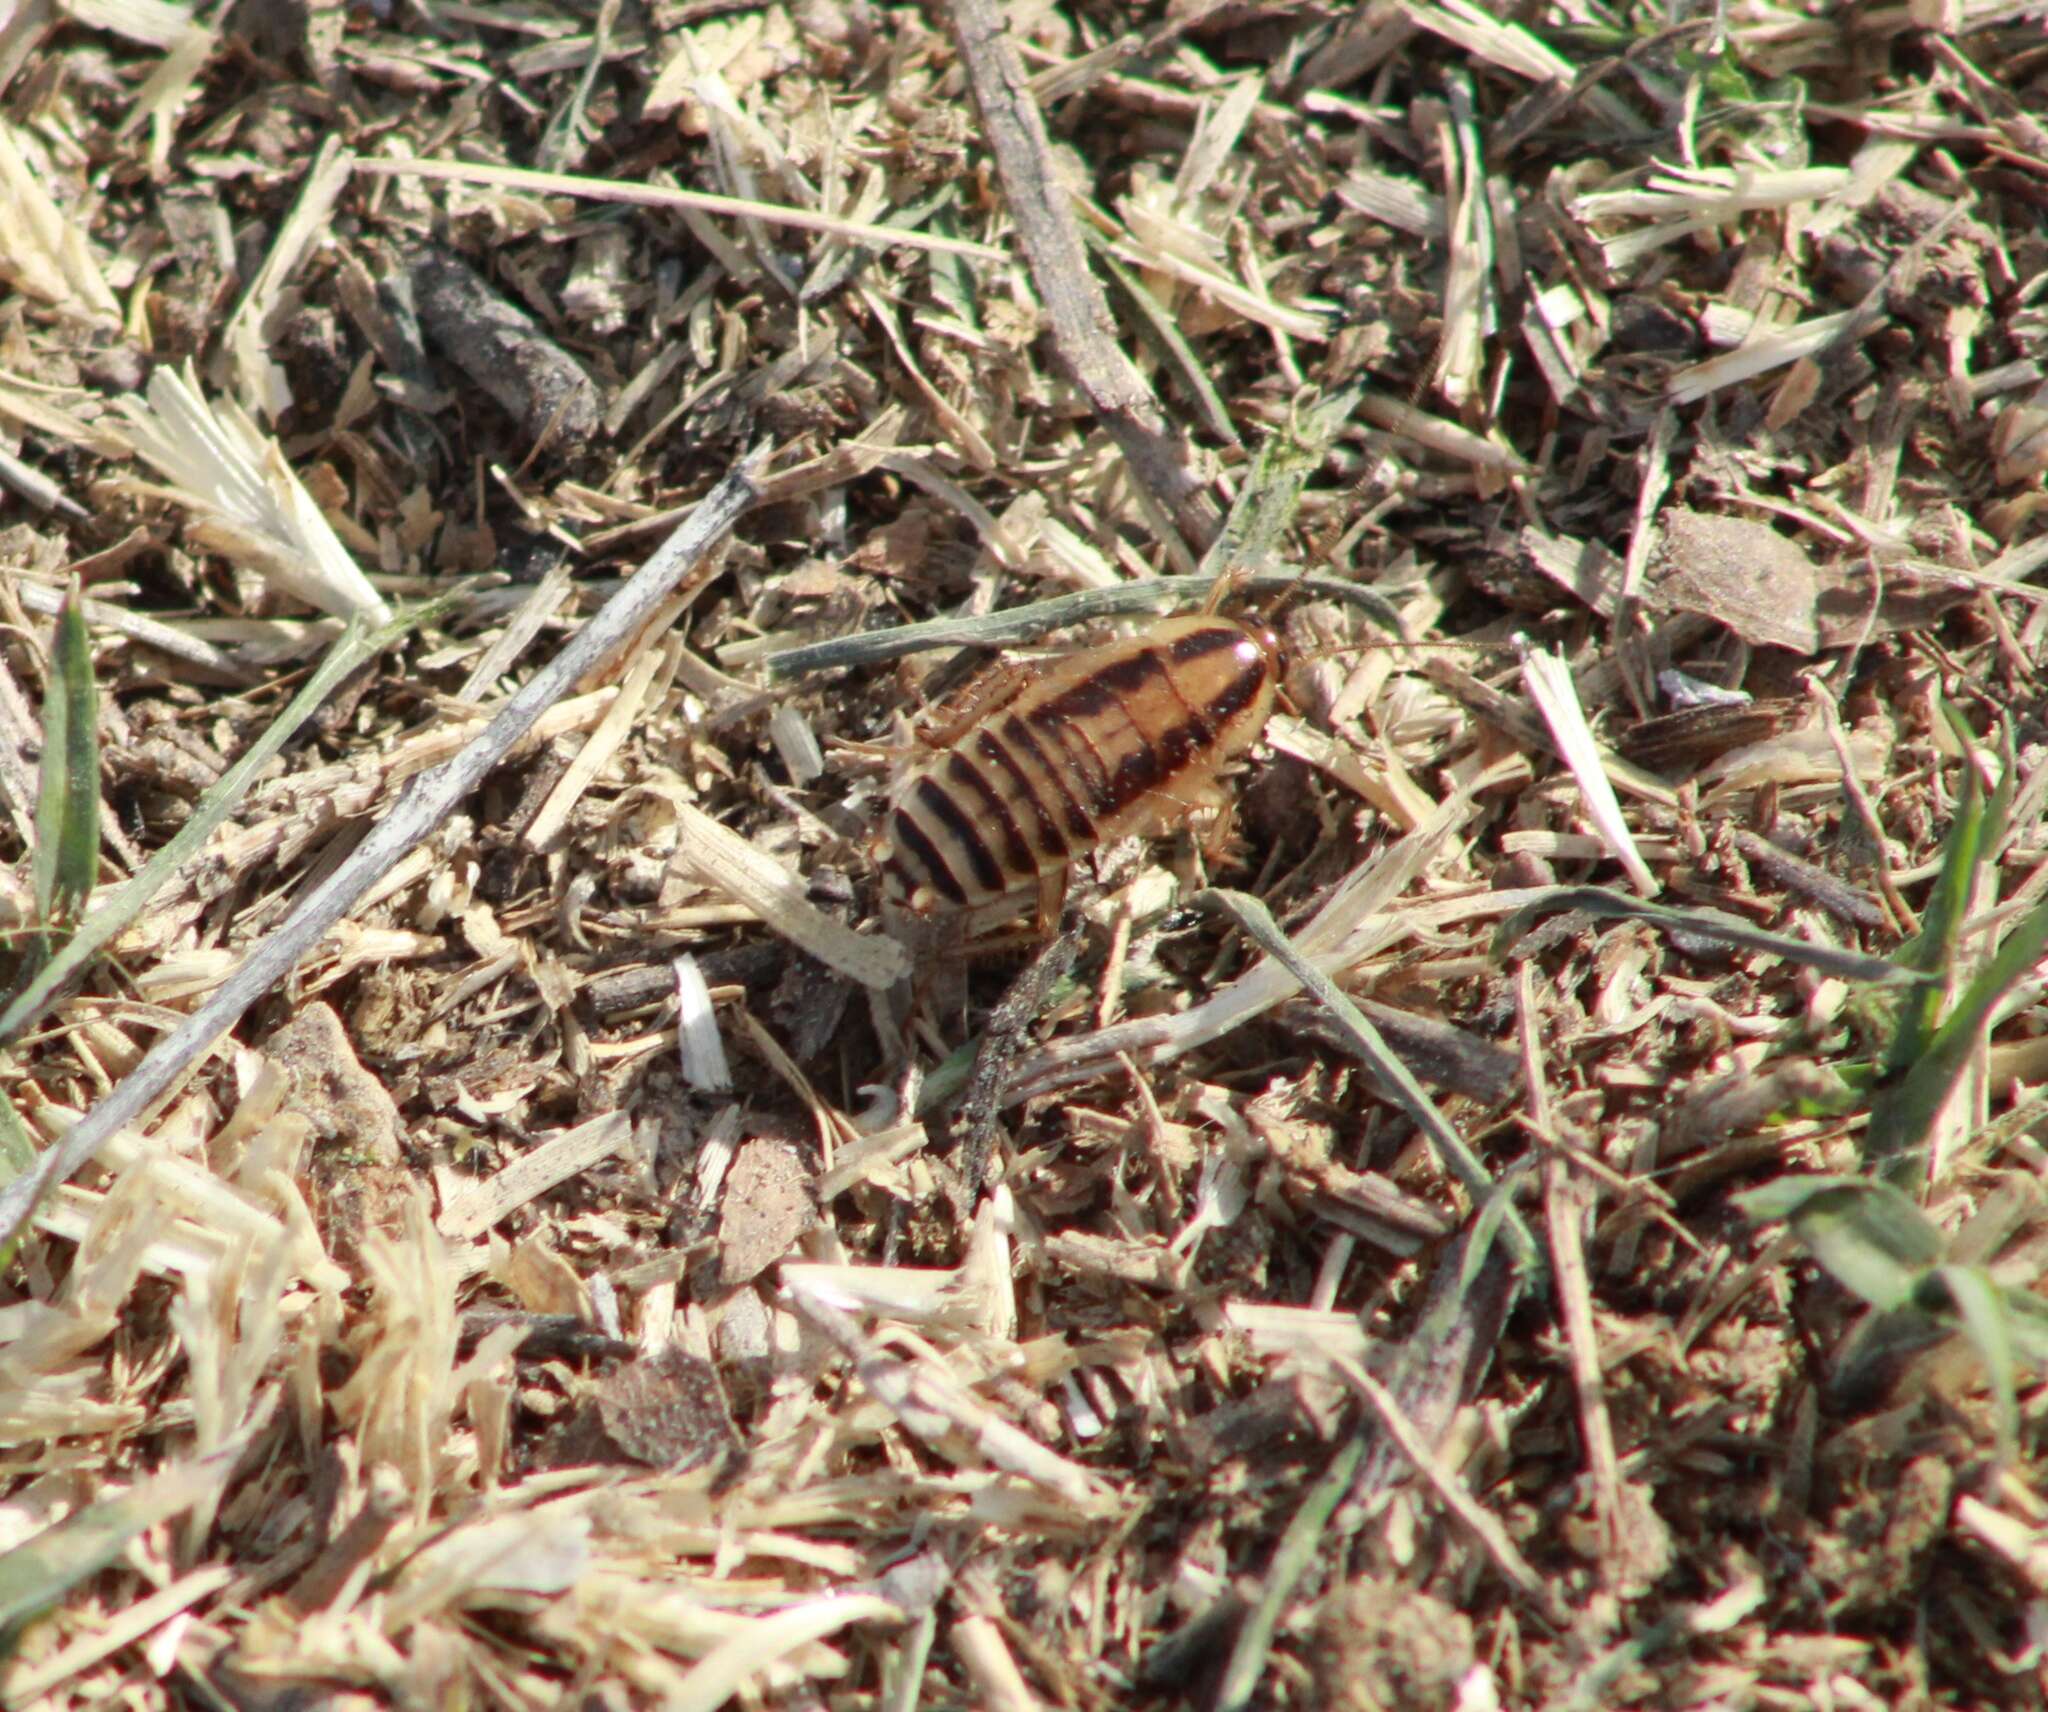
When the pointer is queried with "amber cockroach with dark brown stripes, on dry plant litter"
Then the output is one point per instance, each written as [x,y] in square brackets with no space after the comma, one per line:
[1115,740]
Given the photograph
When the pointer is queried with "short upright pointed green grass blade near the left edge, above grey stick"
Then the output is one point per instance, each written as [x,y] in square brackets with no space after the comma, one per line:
[69,794]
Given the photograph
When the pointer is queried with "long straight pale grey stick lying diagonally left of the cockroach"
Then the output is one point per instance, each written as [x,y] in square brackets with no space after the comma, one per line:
[417,814]
